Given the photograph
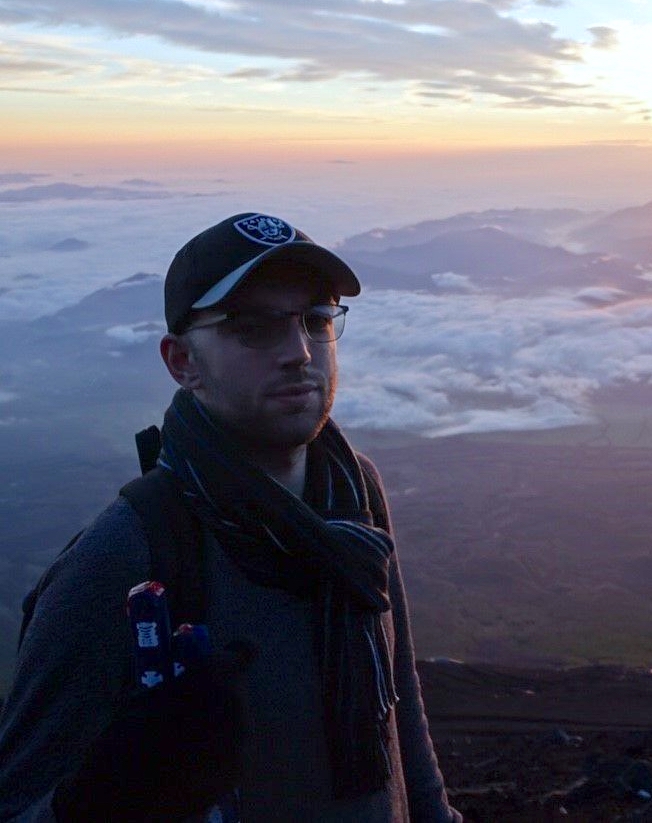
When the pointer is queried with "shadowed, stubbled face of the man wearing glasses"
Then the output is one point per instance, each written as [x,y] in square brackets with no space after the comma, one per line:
[274,398]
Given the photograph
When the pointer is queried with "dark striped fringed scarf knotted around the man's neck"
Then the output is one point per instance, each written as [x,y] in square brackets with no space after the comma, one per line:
[325,549]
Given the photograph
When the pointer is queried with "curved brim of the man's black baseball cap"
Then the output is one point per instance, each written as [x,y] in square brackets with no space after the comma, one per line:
[334,270]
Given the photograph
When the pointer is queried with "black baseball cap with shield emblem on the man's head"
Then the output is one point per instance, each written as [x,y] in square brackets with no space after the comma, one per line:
[214,263]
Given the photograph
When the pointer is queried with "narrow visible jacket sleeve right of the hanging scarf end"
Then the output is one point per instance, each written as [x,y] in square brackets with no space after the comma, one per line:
[424,783]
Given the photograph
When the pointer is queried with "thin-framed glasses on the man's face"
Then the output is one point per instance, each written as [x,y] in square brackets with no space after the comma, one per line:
[266,328]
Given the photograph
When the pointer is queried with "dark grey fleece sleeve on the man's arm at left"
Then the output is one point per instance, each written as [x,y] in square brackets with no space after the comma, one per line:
[73,670]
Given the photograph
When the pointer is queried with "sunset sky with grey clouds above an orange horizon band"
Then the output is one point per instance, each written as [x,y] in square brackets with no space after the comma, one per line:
[174,85]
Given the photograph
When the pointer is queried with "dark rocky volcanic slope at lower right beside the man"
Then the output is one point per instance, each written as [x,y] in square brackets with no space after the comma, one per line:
[542,745]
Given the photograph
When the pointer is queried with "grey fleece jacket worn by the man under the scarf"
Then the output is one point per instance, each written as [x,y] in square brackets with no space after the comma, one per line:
[75,664]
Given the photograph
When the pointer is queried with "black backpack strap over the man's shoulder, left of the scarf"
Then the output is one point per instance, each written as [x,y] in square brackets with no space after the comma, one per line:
[175,541]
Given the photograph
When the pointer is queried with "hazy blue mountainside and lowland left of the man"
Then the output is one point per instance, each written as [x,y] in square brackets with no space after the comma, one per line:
[76,385]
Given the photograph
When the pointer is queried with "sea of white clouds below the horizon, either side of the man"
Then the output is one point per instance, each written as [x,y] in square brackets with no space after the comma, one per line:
[462,361]
